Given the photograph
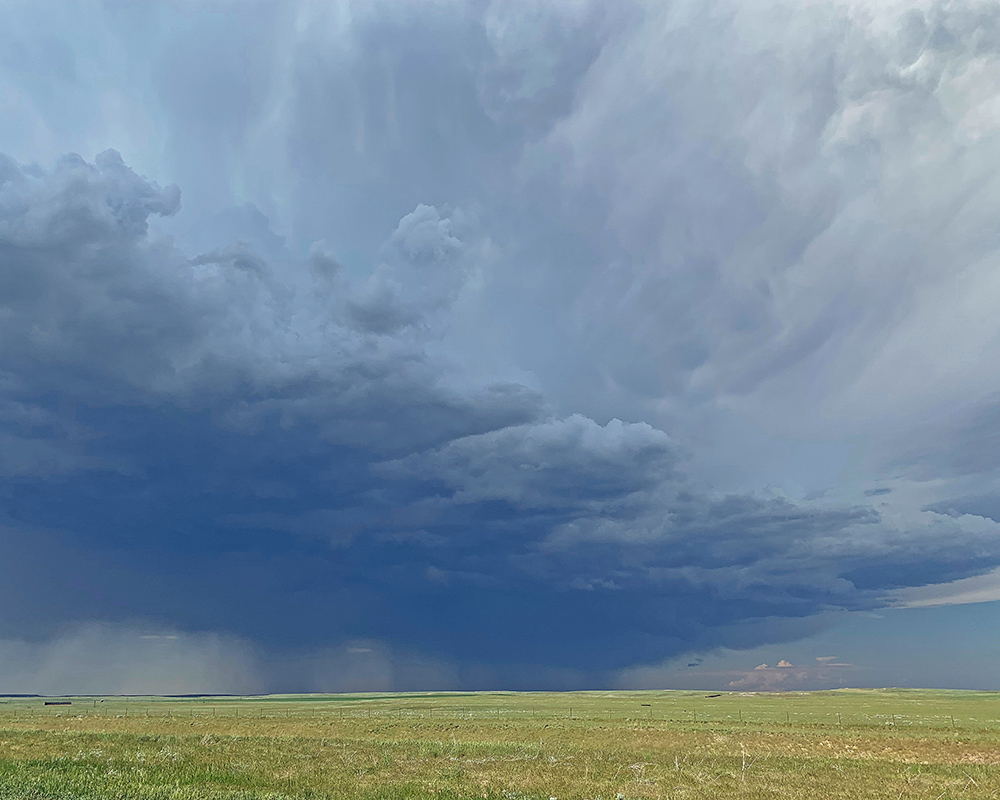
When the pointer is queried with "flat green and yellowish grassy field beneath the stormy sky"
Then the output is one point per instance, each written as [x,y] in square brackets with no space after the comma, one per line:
[843,744]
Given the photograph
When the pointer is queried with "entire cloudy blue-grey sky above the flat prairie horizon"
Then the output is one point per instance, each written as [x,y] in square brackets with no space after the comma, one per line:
[475,345]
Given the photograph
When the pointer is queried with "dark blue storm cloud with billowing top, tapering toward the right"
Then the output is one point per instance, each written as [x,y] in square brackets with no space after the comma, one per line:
[218,442]
